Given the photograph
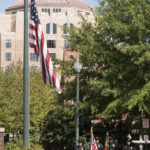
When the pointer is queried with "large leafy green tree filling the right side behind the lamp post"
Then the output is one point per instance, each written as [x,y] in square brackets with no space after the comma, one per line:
[115,52]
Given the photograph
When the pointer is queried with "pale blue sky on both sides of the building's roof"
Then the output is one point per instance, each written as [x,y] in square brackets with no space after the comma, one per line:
[5,3]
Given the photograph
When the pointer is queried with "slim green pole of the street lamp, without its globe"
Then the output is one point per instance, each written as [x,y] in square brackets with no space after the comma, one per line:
[77,109]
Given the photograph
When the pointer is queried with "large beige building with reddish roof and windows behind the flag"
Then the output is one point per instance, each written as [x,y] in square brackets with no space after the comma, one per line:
[54,15]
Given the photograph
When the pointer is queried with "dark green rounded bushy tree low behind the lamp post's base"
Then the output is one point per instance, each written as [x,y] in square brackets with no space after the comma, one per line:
[59,129]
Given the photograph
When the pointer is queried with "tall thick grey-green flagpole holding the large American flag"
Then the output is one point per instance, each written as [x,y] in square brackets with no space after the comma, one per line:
[26,78]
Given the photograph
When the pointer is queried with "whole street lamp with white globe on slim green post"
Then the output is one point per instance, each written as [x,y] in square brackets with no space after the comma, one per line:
[77,66]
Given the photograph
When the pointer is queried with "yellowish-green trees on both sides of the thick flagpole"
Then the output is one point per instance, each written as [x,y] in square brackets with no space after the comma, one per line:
[42,99]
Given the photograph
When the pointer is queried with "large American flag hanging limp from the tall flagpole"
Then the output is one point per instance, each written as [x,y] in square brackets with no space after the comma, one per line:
[36,41]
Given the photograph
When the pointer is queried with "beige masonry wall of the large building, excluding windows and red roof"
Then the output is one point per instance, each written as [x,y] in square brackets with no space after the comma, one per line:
[13,28]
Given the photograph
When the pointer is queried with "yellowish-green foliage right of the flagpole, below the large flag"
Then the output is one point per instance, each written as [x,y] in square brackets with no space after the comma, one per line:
[42,99]
